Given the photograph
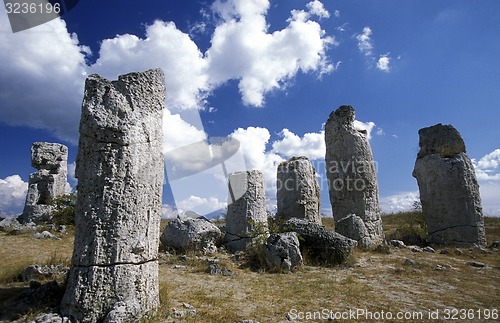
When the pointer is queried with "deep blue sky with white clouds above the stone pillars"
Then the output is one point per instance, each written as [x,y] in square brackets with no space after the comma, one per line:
[267,73]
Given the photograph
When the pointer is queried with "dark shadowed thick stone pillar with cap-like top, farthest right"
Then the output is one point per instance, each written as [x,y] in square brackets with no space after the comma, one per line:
[449,191]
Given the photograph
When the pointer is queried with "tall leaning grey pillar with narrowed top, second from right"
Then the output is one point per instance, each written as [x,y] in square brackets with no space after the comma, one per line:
[352,177]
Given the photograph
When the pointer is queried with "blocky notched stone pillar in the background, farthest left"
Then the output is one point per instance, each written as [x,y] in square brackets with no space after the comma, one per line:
[48,182]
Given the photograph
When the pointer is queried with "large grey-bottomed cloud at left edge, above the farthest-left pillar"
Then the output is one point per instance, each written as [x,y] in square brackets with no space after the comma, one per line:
[41,83]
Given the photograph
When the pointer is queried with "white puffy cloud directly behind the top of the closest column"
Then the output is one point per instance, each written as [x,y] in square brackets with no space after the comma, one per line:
[166,47]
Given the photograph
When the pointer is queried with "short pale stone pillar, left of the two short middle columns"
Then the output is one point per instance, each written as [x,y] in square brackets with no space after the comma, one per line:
[246,217]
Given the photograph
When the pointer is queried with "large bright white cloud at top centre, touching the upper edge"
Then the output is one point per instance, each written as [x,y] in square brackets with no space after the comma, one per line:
[243,49]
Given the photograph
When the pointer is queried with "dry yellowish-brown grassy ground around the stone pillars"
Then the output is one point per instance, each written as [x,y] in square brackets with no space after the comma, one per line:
[376,282]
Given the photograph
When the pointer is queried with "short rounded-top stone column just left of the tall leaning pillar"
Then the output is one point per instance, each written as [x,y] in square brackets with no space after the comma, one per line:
[298,194]
